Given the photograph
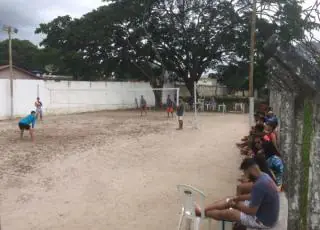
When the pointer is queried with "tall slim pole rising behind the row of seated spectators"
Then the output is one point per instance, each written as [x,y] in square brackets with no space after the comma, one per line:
[251,67]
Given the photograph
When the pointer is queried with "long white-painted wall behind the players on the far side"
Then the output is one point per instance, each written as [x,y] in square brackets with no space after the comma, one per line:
[74,96]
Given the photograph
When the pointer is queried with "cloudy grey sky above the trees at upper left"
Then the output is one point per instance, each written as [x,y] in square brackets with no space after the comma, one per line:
[26,15]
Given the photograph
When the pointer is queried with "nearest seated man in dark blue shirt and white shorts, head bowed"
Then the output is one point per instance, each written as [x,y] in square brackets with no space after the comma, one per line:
[259,210]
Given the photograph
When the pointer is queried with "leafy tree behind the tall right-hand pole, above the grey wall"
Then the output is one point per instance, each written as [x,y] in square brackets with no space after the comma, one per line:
[285,18]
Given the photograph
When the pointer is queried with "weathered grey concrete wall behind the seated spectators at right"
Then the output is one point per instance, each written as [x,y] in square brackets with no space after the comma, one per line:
[294,84]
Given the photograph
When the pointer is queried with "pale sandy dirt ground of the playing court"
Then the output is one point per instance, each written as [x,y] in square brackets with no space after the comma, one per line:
[113,170]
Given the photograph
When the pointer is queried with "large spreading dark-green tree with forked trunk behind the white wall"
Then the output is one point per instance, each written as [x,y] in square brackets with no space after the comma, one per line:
[149,38]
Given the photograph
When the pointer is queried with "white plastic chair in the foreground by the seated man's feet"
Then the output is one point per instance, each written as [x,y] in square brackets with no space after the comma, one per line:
[189,195]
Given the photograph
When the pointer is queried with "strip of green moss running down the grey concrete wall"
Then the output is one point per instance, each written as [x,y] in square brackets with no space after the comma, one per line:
[306,146]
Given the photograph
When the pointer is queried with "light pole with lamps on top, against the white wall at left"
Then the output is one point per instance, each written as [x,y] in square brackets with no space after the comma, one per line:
[10,30]
